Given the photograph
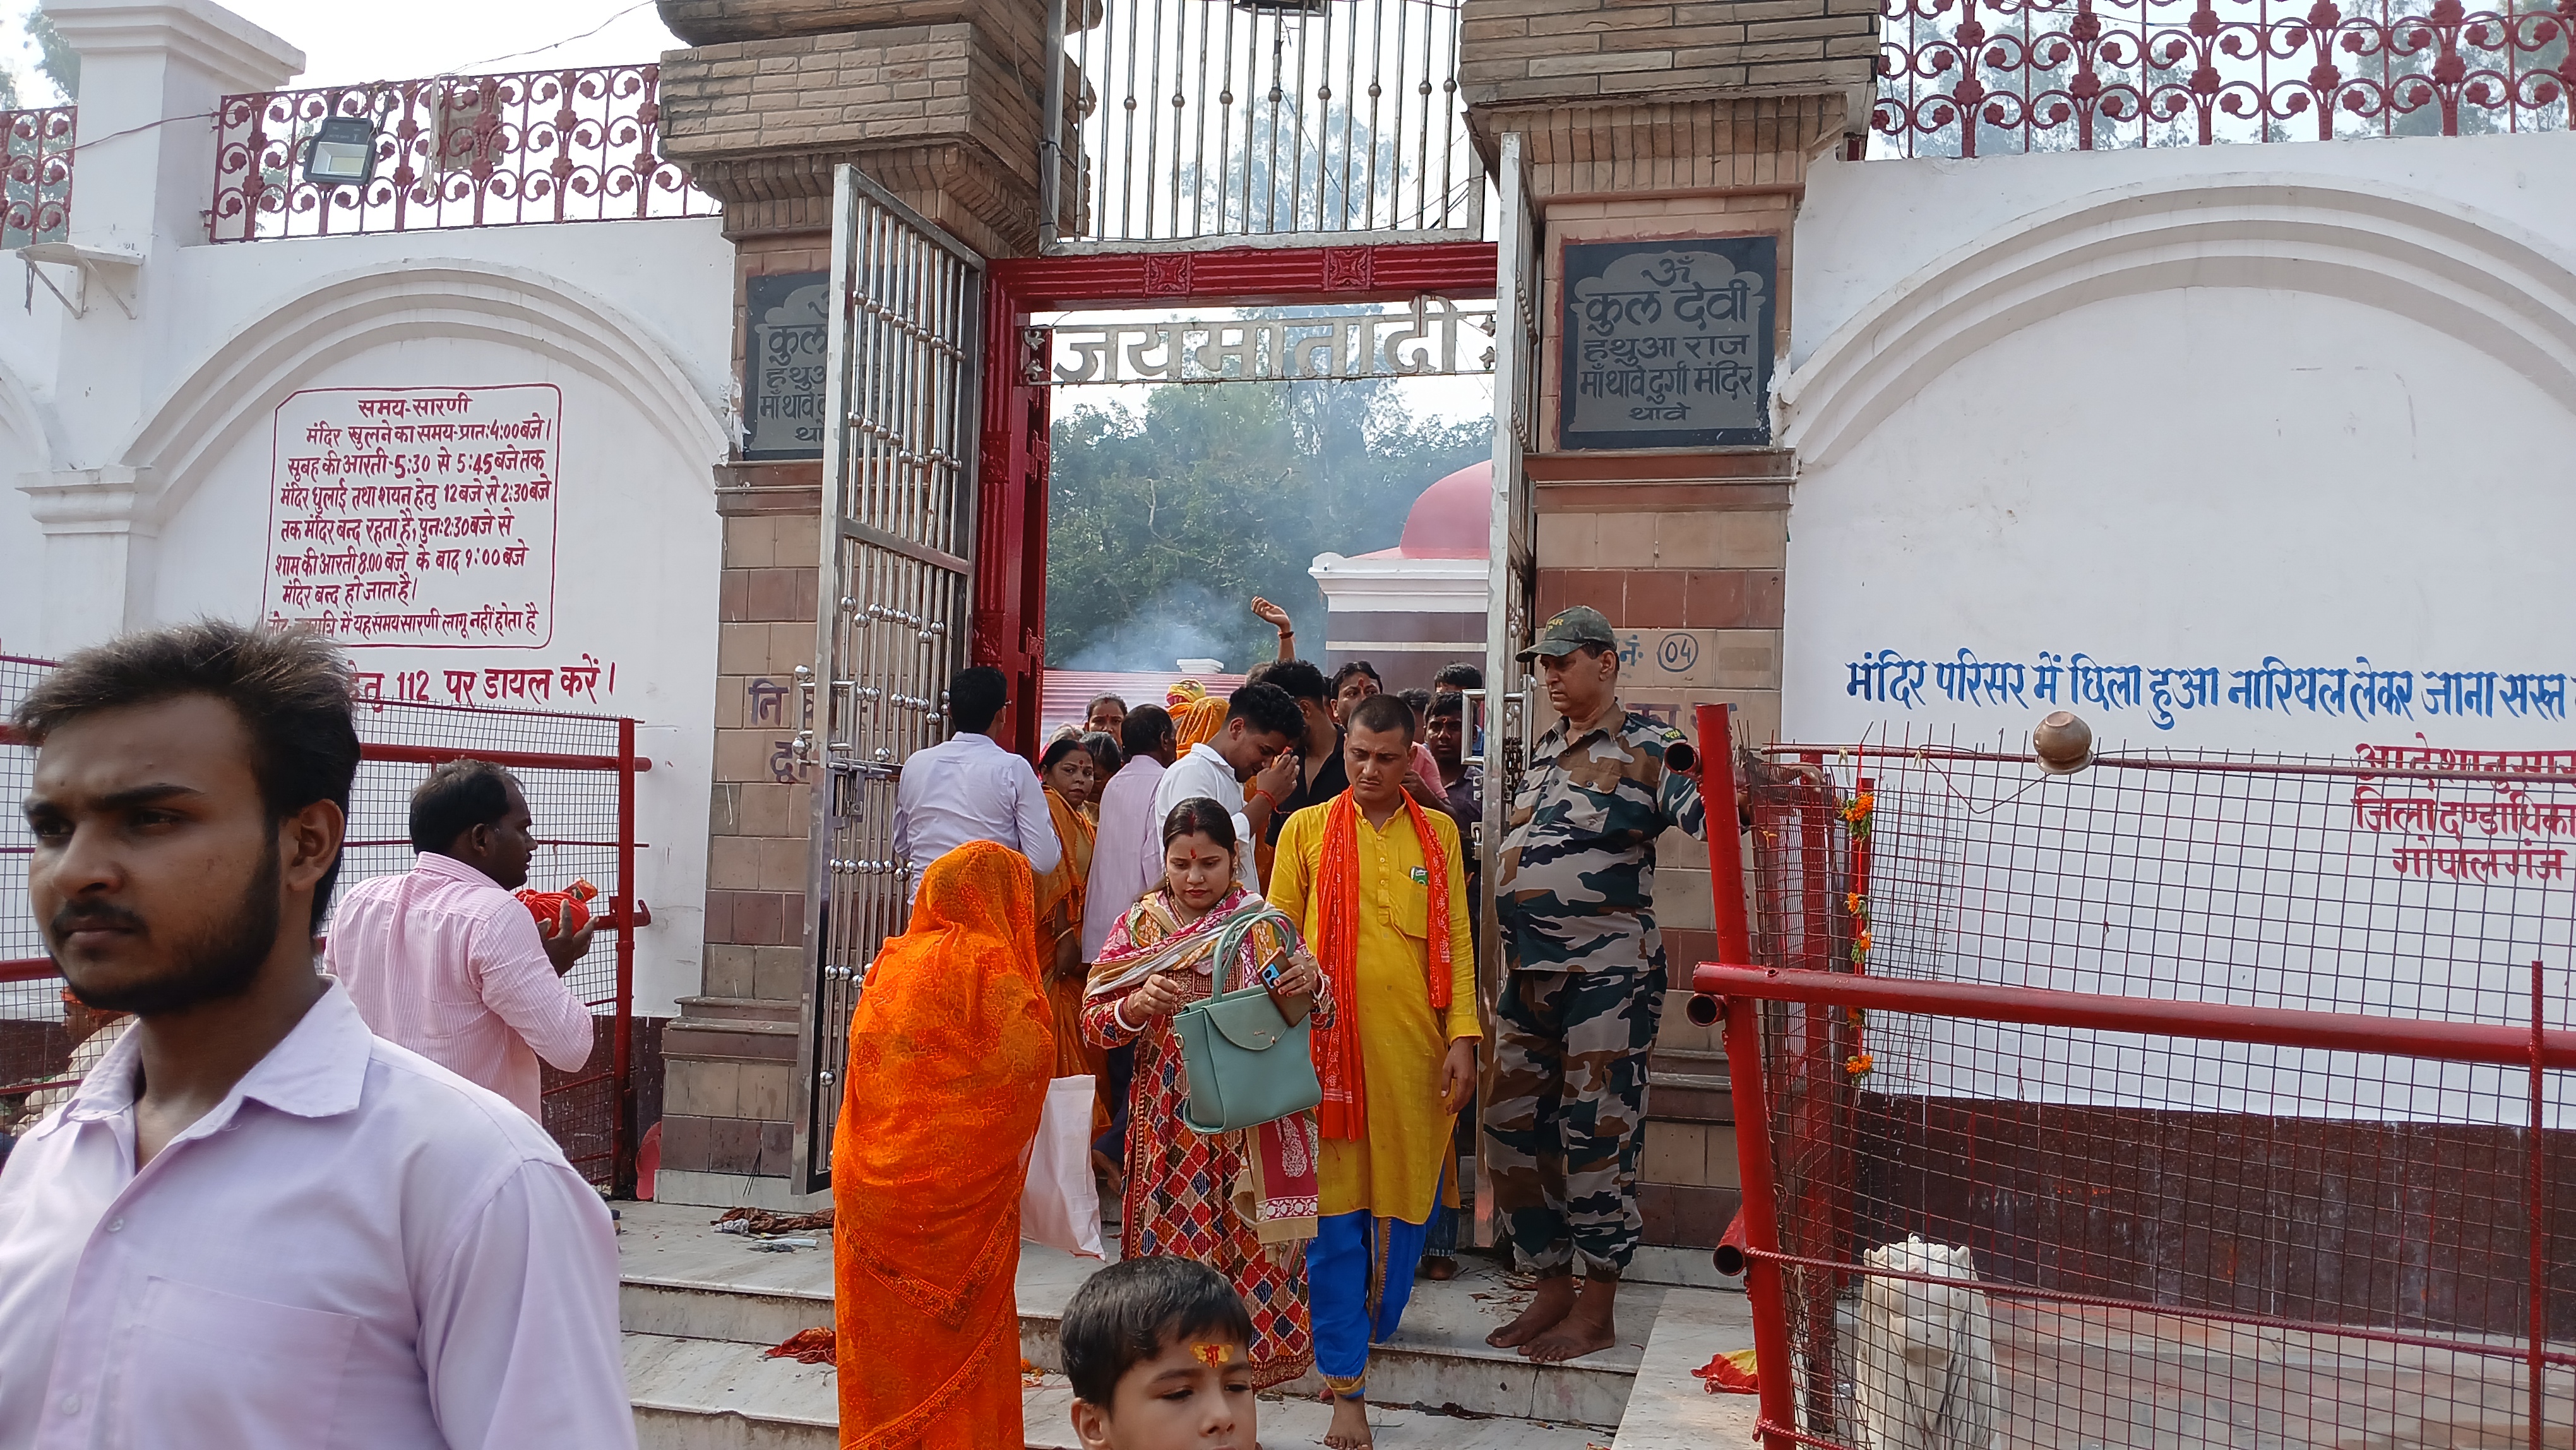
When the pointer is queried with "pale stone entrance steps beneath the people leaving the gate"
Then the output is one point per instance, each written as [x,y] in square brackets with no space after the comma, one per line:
[689,1284]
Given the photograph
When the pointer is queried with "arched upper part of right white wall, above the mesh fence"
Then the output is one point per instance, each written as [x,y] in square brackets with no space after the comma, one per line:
[2186,411]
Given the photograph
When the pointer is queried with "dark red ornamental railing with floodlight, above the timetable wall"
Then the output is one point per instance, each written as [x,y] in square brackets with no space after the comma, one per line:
[455,151]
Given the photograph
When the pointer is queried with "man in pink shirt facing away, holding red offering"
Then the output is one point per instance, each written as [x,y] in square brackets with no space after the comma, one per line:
[447,962]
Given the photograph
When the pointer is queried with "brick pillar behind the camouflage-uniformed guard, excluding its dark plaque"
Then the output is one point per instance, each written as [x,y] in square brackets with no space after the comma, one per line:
[1671,122]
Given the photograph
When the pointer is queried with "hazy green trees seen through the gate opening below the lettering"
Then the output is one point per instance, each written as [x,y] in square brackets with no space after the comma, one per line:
[1163,527]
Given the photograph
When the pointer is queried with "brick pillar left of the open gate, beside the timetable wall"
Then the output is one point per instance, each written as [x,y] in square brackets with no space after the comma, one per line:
[939,102]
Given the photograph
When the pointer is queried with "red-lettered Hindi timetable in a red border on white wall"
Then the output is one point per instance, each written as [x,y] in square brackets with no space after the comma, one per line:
[416,516]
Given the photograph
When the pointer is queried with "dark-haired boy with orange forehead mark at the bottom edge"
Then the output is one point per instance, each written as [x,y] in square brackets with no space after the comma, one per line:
[1160,1353]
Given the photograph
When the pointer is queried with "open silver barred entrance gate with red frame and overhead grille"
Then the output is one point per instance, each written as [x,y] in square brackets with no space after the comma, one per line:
[1235,158]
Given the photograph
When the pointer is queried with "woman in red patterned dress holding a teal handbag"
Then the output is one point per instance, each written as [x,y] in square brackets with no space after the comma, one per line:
[1245,1201]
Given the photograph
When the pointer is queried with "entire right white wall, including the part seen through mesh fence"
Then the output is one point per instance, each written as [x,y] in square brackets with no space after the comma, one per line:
[2196,413]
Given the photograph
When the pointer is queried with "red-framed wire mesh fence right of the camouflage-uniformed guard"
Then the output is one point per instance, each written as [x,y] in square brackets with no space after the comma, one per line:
[2294,1176]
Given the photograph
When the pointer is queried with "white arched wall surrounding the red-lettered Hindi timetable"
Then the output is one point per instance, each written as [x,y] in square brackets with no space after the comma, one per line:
[143,447]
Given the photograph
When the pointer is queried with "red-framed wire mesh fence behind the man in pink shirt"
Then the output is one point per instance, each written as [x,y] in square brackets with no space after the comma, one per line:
[576,774]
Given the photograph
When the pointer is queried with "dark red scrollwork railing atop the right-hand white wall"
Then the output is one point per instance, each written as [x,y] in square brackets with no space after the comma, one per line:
[1967,79]
